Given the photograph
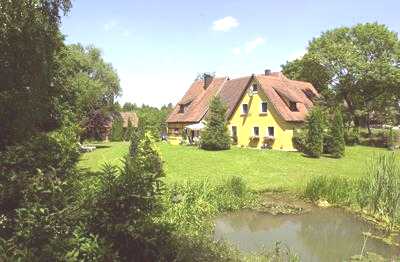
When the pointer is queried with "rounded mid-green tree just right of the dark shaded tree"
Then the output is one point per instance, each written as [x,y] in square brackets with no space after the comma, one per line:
[93,83]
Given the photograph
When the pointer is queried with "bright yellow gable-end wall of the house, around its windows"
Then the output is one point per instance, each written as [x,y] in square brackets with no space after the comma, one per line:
[283,130]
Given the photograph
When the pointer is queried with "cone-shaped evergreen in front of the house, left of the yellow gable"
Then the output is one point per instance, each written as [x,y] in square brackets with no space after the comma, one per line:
[215,135]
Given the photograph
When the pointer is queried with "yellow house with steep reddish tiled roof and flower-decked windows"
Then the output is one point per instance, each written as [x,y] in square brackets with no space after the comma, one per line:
[263,110]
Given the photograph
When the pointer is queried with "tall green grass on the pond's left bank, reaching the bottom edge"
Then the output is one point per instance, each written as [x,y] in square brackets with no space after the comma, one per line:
[189,209]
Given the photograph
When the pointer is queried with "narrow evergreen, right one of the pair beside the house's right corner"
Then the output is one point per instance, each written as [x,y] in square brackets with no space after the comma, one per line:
[337,134]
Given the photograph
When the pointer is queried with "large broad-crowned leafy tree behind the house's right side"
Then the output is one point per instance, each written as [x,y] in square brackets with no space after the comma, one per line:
[358,65]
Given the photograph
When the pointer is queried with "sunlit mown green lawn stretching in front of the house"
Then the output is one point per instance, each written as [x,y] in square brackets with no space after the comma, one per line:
[261,169]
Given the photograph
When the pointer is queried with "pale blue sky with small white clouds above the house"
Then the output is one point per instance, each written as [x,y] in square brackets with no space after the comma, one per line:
[158,47]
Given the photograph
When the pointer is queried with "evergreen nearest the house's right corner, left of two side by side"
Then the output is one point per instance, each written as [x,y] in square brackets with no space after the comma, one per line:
[315,133]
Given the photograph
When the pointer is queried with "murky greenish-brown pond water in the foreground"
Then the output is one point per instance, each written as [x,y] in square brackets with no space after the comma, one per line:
[319,235]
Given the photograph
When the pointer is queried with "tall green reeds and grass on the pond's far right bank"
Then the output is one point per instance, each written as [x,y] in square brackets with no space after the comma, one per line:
[378,191]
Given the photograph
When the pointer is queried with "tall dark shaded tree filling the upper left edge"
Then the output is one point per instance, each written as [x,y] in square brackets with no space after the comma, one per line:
[30,83]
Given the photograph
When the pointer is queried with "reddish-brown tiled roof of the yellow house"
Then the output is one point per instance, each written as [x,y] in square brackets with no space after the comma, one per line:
[279,89]
